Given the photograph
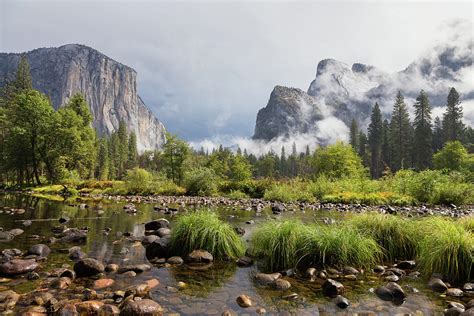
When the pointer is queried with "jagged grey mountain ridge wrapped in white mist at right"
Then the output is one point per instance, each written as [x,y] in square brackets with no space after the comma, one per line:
[345,92]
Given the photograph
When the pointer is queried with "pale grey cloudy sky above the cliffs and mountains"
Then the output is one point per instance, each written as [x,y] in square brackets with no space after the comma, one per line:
[206,68]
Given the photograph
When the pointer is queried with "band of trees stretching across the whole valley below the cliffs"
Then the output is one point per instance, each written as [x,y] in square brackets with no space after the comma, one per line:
[40,145]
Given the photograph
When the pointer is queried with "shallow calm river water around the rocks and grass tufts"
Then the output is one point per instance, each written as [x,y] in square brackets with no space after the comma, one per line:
[209,292]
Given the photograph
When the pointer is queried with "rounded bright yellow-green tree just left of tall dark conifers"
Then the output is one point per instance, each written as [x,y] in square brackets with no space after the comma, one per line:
[337,161]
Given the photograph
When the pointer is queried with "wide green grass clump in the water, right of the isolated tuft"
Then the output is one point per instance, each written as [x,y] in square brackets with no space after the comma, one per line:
[290,243]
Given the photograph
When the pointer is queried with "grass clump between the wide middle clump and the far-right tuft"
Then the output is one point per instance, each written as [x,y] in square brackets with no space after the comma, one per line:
[397,236]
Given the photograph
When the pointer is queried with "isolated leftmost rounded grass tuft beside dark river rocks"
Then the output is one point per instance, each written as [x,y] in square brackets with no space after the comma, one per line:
[204,230]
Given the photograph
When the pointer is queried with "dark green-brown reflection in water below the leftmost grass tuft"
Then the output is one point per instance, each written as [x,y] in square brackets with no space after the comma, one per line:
[201,282]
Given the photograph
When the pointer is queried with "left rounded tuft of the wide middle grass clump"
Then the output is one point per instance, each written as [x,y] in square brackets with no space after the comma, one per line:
[278,242]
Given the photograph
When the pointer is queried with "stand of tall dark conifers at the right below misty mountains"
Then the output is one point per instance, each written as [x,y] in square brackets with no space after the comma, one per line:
[404,144]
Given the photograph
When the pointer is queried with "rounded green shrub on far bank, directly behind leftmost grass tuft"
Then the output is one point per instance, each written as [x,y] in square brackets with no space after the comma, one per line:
[201,182]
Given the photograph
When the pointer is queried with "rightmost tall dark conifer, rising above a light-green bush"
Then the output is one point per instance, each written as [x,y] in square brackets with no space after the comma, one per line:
[453,126]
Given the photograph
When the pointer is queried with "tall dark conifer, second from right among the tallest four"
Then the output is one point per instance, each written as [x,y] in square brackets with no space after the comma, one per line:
[423,137]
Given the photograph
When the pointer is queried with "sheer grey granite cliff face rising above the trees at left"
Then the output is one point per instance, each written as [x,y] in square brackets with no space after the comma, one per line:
[110,88]
